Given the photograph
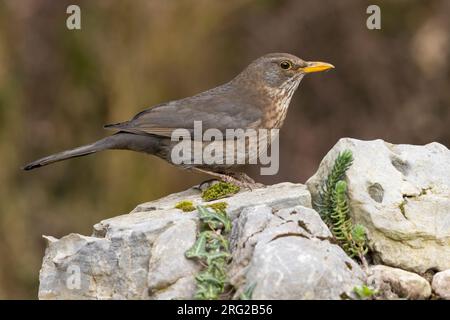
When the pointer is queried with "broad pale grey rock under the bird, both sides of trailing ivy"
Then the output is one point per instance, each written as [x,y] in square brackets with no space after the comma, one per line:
[278,243]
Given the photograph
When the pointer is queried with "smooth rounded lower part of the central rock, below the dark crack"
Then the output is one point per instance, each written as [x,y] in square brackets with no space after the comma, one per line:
[293,267]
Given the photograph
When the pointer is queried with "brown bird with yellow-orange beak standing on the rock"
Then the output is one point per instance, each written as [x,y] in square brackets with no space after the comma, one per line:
[257,98]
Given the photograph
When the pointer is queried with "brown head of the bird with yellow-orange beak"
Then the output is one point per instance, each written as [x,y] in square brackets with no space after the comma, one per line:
[281,70]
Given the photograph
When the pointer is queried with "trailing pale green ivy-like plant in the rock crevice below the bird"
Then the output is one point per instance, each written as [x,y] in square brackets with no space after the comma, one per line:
[212,249]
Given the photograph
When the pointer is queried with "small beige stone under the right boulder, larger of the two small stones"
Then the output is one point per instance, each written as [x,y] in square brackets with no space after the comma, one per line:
[395,283]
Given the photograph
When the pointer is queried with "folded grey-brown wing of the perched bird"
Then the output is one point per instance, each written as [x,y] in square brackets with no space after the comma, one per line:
[213,110]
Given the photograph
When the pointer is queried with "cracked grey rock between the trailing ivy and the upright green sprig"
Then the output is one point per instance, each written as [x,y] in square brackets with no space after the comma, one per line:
[287,254]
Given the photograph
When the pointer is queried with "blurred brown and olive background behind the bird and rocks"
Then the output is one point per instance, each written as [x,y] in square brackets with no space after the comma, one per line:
[58,87]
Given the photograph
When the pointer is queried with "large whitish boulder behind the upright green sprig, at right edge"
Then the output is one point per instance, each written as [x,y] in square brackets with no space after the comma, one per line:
[401,194]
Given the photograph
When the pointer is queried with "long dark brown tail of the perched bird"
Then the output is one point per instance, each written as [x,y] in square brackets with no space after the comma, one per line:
[116,141]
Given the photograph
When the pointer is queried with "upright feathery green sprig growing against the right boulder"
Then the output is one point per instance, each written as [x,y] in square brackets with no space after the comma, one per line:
[334,209]
